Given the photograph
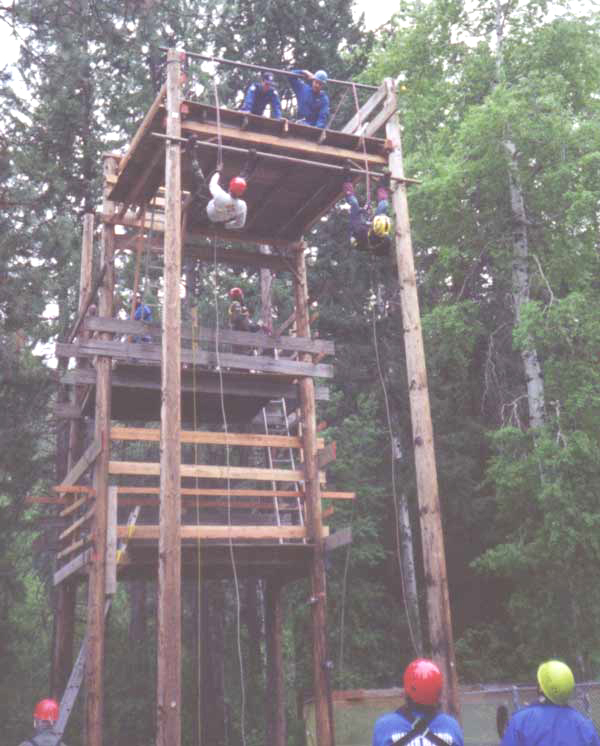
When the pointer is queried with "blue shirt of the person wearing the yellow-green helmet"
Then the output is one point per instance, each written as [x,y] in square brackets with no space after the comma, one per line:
[547,724]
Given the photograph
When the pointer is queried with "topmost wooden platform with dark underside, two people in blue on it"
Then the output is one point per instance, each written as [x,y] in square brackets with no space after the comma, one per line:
[284,198]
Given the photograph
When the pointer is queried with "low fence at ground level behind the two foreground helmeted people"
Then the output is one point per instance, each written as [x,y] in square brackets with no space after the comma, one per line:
[355,711]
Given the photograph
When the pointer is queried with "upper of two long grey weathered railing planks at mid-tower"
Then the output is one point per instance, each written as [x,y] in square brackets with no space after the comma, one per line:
[206,334]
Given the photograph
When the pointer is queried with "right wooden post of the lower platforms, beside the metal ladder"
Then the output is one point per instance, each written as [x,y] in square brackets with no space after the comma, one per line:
[318,601]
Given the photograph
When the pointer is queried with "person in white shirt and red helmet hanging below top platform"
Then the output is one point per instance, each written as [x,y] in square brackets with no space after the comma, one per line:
[225,208]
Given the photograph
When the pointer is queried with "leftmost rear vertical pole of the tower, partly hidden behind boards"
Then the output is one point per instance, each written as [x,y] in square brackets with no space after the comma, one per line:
[62,653]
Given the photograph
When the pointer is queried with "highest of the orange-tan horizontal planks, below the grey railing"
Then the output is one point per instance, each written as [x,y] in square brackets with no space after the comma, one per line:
[212,438]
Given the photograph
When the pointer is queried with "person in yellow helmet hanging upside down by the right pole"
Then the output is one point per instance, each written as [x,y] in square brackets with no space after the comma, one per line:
[367,235]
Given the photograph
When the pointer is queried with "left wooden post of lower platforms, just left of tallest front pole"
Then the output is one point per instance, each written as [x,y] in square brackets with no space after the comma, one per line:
[94,669]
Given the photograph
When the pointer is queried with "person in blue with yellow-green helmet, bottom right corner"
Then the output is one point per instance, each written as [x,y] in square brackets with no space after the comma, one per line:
[550,721]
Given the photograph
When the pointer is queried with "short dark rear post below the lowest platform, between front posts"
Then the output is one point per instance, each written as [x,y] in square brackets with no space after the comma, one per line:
[275,691]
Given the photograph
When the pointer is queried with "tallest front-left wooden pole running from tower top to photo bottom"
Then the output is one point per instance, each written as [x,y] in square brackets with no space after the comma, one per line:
[169,548]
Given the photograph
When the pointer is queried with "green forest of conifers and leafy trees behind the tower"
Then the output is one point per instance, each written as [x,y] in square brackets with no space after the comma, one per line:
[499,103]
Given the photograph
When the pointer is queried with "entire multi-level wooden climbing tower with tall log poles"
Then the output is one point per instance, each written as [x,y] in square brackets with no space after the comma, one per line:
[139,373]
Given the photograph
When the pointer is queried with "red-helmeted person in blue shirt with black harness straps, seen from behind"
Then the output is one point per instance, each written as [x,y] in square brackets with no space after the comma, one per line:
[419,722]
